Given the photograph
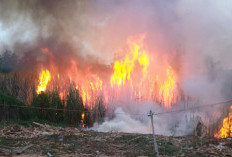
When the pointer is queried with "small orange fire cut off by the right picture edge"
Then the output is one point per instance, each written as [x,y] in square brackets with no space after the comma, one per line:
[226,129]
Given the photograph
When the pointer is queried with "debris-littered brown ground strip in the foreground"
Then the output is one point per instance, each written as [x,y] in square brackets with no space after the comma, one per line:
[46,140]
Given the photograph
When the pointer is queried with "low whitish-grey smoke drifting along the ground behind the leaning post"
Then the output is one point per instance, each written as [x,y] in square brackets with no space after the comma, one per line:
[184,123]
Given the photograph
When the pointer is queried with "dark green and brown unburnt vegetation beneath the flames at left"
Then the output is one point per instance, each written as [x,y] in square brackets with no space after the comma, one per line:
[18,90]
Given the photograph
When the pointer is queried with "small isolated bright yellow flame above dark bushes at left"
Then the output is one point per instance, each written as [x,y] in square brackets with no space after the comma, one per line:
[45,77]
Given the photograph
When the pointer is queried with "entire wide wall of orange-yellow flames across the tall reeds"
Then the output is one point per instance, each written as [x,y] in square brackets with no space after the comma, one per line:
[140,74]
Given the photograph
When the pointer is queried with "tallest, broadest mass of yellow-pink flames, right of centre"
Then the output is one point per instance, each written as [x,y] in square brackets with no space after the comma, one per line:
[147,79]
